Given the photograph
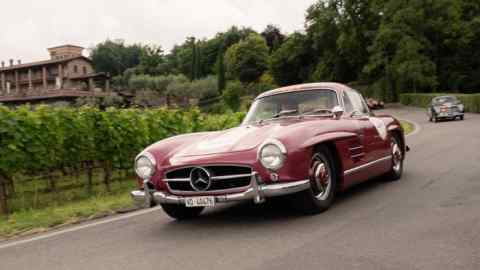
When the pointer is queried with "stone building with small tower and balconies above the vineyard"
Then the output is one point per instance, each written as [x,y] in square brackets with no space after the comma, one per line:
[66,76]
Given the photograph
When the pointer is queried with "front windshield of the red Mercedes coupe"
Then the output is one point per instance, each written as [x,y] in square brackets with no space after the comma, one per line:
[291,104]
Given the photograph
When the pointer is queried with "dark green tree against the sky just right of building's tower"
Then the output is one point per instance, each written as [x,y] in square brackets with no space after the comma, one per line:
[115,57]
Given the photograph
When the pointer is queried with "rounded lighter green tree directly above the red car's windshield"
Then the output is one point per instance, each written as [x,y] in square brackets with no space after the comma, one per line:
[248,59]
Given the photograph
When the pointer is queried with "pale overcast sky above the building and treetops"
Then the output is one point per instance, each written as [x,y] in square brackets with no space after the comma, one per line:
[31,26]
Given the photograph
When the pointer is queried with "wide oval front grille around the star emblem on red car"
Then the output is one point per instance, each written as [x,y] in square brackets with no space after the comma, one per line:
[220,177]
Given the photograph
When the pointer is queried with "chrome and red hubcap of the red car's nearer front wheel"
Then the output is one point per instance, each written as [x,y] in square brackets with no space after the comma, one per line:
[321,179]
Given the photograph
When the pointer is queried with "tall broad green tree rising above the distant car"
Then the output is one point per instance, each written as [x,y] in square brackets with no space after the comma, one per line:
[413,45]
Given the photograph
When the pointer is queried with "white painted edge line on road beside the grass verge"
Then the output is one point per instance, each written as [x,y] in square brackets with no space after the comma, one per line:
[77,228]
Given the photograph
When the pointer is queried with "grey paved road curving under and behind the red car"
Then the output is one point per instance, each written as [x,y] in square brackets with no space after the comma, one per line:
[428,220]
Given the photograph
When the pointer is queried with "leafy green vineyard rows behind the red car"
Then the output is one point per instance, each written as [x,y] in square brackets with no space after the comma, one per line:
[84,144]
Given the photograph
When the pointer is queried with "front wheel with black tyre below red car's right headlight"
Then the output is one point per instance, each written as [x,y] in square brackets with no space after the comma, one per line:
[323,184]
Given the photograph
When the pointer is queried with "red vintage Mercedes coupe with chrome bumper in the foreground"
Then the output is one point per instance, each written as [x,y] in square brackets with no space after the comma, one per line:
[306,141]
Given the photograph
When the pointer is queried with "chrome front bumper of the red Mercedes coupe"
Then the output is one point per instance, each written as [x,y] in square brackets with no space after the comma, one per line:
[256,191]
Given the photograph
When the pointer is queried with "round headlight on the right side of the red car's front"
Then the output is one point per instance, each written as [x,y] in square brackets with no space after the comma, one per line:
[272,154]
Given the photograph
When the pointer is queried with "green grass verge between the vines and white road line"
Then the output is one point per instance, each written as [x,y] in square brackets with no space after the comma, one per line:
[35,208]
